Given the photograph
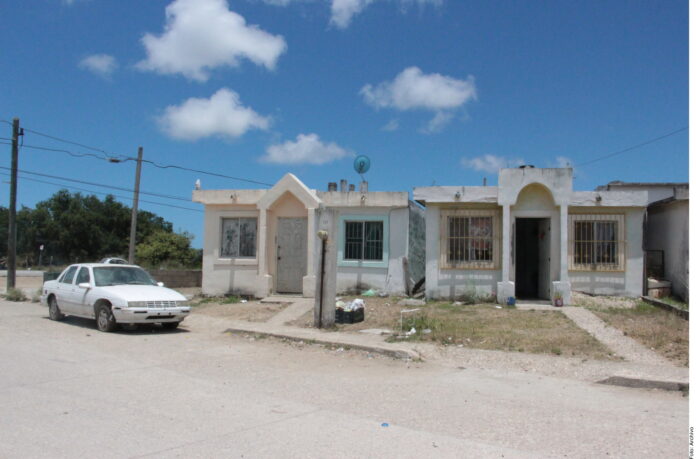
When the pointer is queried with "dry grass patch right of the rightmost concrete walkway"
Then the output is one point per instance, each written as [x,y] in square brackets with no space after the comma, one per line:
[655,328]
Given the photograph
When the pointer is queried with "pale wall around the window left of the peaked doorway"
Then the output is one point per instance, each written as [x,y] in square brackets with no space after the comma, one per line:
[225,275]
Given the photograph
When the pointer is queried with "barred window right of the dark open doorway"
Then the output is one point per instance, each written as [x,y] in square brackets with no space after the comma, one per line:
[595,242]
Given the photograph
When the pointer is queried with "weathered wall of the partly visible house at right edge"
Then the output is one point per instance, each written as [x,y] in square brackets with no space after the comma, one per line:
[668,230]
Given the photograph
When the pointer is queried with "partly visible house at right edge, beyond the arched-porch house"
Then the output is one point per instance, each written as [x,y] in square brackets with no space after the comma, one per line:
[666,236]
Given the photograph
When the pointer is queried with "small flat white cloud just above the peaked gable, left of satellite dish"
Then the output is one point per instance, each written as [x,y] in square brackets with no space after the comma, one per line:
[307,149]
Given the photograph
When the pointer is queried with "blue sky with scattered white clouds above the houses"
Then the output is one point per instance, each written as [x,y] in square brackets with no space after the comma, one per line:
[433,91]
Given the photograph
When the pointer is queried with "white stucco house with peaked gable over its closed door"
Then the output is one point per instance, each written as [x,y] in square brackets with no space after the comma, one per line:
[263,241]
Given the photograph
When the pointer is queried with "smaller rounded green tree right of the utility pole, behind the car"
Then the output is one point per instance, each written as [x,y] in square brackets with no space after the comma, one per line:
[166,248]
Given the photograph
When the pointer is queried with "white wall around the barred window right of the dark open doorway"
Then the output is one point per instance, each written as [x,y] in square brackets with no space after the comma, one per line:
[623,283]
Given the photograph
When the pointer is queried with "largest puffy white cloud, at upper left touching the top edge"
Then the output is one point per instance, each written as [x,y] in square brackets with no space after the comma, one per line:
[200,35]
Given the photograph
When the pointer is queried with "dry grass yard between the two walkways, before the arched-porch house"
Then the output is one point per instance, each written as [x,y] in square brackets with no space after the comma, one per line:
[481,326]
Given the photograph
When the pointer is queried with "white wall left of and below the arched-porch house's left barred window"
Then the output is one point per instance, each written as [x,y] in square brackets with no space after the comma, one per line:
[450,283]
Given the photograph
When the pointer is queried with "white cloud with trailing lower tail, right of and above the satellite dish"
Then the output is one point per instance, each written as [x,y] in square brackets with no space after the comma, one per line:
[414,90]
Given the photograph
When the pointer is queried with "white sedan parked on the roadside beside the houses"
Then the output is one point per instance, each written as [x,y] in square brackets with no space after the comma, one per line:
[113,294]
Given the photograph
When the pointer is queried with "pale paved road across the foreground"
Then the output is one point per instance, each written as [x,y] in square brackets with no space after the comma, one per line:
[67,390]
